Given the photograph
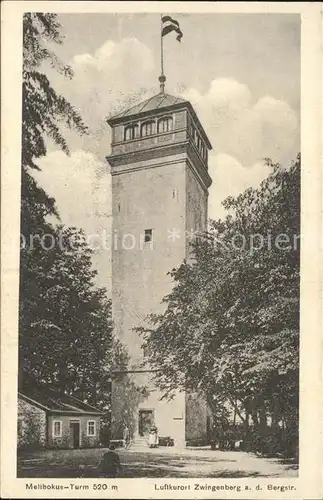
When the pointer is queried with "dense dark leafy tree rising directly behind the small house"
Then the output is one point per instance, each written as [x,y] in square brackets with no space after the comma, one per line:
[65,320]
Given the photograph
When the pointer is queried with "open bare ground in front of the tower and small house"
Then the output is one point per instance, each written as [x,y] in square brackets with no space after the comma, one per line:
[165,462]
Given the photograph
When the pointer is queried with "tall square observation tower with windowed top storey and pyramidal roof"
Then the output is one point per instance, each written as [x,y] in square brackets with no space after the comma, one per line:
[160,181]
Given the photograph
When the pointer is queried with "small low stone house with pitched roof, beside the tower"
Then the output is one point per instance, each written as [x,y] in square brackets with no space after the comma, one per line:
[50,419]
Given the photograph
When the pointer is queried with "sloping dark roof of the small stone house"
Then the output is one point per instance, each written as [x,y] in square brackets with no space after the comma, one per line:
[53,401]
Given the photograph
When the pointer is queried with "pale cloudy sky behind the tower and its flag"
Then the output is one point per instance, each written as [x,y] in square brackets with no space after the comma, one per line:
[241,73]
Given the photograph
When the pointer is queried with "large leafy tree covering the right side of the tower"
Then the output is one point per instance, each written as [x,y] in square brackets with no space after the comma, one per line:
[230,329]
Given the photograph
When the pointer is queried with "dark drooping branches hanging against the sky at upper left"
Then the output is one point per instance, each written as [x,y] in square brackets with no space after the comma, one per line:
[44,113]
